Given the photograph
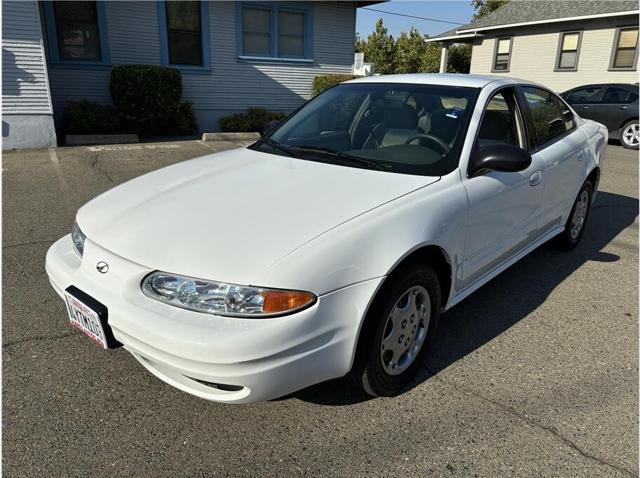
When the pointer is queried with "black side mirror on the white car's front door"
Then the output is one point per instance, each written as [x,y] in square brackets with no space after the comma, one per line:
[498,157]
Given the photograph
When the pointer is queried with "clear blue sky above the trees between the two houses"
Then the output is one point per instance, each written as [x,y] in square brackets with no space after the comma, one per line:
[453,10]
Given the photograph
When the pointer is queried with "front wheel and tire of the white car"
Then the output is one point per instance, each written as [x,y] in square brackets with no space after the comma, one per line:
[381,367]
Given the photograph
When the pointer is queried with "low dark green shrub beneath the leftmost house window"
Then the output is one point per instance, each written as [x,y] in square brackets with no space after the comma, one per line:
[87,117]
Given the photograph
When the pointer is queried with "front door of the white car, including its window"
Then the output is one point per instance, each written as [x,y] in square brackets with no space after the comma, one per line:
[503,206]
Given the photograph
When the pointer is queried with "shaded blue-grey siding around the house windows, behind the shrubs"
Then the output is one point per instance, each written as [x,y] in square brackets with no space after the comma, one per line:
[230,84]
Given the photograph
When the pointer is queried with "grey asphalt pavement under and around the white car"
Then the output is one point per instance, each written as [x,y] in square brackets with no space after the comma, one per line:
[533,375]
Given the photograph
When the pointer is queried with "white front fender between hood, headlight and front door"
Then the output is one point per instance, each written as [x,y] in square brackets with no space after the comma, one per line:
[371,245]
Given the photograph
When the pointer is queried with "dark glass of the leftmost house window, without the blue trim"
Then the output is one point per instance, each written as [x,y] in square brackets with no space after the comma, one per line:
[76,25]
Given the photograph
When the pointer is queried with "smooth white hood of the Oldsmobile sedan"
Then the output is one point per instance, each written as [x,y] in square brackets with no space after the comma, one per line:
[228,216]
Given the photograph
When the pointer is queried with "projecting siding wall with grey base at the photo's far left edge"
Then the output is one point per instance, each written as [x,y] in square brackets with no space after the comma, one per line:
[27,120]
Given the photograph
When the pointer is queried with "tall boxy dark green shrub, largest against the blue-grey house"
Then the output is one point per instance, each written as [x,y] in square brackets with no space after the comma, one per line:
[148,99]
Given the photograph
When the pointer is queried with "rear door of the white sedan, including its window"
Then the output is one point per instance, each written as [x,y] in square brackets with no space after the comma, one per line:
[564,149]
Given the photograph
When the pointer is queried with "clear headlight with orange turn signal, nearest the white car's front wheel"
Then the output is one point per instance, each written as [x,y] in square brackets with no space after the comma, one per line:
[223,299]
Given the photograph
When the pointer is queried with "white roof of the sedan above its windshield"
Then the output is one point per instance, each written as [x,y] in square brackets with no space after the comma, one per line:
[447,79]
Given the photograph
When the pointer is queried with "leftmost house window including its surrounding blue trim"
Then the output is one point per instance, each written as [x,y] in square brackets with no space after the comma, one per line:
[76,32]
